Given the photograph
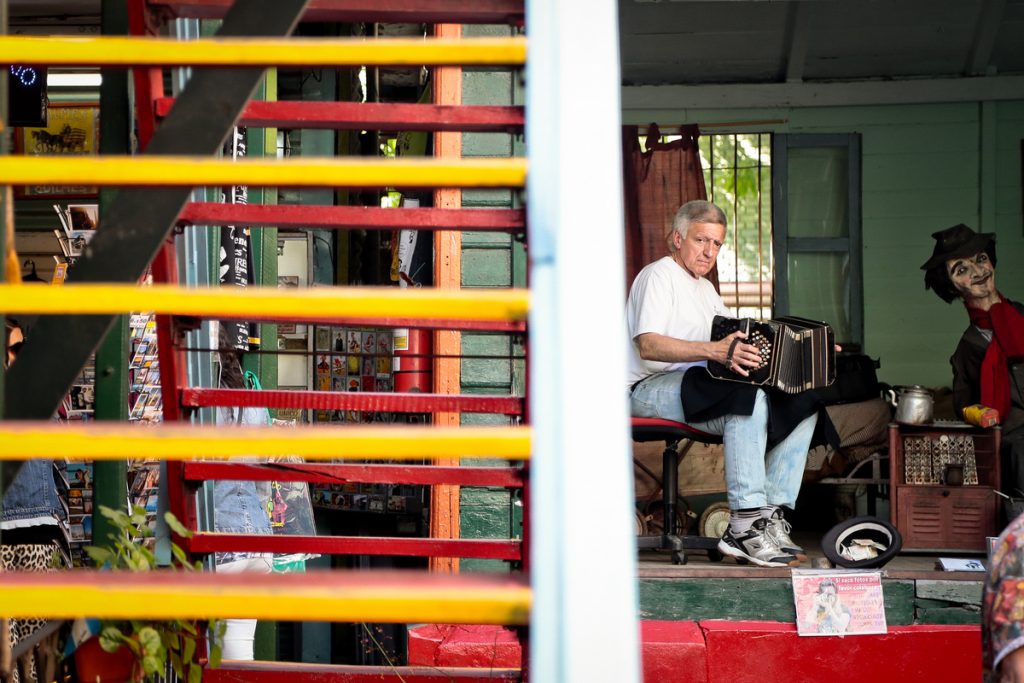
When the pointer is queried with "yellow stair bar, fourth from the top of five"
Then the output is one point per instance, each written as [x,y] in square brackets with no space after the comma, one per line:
[23,441]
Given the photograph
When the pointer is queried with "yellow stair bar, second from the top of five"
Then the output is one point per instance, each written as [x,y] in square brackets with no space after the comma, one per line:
[293,173]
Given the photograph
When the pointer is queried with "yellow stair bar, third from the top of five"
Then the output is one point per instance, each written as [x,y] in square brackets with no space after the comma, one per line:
[266,304]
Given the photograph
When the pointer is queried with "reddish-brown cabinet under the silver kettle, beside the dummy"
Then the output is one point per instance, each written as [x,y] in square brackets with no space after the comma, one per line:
[934,515]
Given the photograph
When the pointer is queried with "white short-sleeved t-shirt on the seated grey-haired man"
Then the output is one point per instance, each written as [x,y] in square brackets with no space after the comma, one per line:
[668,301]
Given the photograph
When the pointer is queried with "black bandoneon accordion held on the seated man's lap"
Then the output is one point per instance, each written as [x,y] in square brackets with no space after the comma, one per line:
[797,354]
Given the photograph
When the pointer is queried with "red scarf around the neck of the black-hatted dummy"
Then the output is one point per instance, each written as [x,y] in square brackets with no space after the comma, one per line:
[1008,345]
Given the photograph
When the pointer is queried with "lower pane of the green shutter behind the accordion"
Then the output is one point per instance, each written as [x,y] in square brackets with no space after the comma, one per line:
[820,290]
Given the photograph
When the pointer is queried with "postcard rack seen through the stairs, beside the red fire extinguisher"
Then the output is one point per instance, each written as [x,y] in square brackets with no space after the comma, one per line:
[360,360]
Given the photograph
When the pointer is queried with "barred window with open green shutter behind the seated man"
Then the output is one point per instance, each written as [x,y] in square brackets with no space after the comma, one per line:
[793,207]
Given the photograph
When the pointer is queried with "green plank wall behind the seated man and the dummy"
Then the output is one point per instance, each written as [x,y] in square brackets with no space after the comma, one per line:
[926,167]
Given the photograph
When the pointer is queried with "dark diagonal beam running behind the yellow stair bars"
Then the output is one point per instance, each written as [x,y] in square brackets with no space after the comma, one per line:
[140,221]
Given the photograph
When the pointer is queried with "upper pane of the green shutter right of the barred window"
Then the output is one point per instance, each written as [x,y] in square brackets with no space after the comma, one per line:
[818,192]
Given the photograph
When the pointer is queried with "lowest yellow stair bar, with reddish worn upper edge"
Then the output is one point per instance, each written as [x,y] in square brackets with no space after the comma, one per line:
[337,596]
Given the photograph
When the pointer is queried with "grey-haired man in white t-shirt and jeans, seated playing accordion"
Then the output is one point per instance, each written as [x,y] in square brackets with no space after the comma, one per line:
[669,317]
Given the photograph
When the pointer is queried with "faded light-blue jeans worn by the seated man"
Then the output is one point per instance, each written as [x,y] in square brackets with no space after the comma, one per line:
[754,479]
